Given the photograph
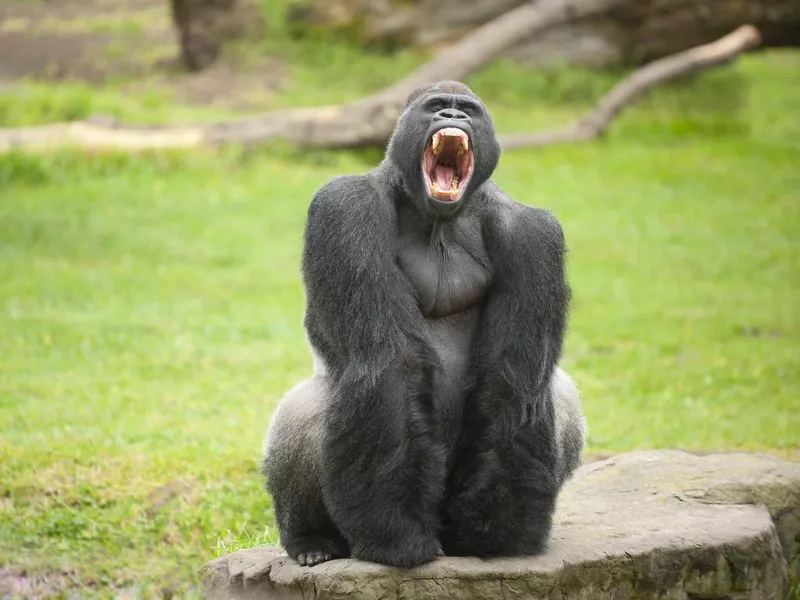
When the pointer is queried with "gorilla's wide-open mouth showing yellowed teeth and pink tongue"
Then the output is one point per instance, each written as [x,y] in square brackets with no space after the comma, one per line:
[447,164]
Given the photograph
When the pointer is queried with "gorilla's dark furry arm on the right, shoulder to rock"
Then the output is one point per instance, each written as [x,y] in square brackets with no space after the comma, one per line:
[503,487]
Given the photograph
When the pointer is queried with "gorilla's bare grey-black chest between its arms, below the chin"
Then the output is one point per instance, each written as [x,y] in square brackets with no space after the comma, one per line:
[447,265]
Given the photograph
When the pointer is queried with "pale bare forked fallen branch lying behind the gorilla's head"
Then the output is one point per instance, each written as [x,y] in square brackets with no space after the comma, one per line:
[369,121]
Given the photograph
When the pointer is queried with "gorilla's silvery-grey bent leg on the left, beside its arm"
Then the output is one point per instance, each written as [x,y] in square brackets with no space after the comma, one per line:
[292,468]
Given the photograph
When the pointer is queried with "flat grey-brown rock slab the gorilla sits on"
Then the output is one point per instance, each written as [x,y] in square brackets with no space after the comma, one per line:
[654,525]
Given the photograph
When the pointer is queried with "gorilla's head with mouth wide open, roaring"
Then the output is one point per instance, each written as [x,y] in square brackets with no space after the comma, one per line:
[445,147]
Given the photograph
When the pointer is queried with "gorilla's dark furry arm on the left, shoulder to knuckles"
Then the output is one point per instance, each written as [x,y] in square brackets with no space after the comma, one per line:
[382,471]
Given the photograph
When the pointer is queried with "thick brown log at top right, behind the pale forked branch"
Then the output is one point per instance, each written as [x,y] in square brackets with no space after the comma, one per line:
[632,32]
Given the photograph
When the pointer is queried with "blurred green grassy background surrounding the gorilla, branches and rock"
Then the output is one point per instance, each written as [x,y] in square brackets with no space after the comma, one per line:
[151,302]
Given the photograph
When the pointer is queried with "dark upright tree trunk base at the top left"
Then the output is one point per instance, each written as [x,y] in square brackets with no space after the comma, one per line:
[203,25]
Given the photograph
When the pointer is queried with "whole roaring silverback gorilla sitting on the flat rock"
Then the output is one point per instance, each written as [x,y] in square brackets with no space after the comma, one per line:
[436,419]
